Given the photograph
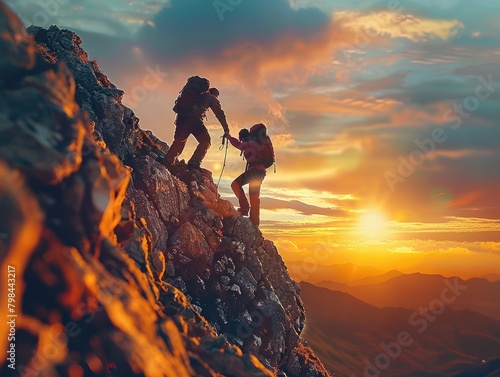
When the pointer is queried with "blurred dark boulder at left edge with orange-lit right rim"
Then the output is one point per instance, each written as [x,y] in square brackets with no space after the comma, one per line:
[51,156]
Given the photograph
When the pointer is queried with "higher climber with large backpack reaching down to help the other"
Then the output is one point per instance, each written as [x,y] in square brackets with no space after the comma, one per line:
[191,107]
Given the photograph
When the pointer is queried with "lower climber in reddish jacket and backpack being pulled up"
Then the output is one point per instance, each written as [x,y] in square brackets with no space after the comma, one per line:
[259,154]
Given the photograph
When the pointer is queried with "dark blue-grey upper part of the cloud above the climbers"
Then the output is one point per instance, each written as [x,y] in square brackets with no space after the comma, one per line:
[192,28]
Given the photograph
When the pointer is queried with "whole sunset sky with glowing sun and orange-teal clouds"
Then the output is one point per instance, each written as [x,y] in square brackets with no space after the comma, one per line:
[385,115]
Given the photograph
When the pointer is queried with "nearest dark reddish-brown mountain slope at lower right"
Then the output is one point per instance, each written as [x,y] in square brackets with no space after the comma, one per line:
[356,339]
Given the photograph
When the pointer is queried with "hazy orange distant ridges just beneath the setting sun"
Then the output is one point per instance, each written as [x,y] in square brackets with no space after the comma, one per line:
[414,291]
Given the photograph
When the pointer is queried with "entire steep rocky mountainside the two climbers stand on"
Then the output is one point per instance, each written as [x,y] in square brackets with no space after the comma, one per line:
[127,269]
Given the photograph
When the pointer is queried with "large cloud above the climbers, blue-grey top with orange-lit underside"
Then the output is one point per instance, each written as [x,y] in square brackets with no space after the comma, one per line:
[258,45]
